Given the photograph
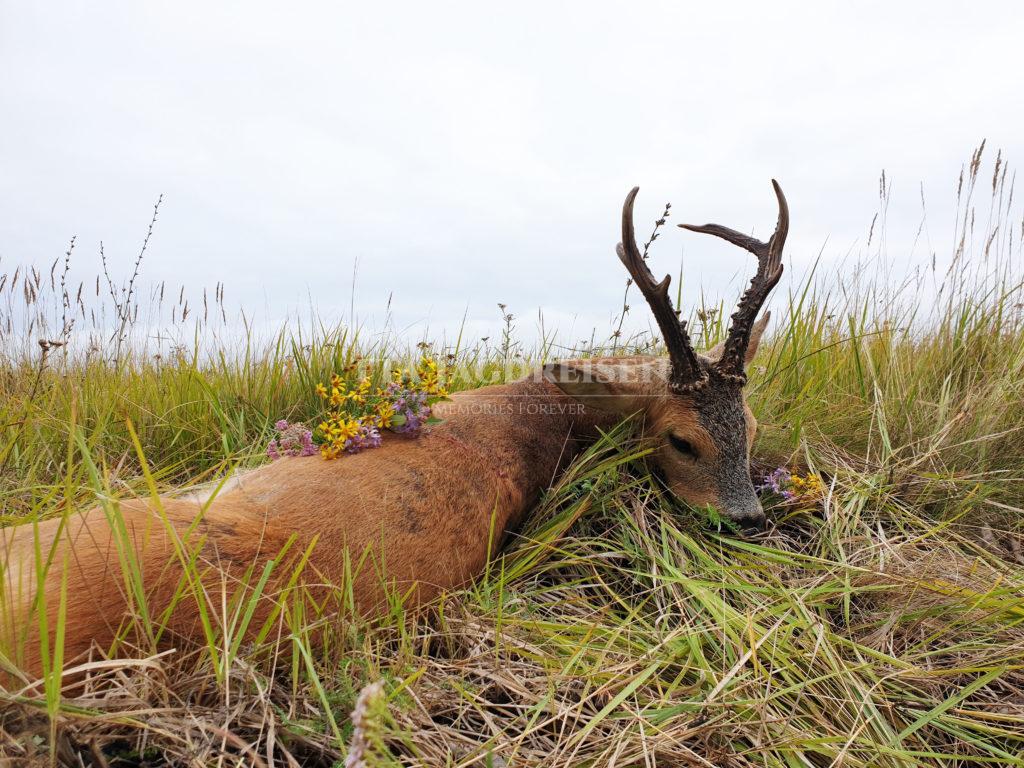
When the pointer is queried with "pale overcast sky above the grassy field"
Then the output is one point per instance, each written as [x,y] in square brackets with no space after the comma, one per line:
[467,154]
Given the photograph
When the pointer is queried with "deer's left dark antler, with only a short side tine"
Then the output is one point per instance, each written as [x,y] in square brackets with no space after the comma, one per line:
[688,374]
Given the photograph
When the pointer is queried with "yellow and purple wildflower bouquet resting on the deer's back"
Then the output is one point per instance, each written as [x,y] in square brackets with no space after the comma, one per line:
[356,414]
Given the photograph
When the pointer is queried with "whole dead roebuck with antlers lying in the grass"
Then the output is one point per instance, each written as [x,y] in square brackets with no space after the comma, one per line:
[429,510]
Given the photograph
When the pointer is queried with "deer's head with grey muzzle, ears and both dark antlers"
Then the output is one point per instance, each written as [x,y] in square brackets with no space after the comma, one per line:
[693,404]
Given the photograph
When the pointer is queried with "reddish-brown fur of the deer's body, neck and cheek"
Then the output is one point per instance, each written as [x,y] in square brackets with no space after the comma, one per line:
[420,510]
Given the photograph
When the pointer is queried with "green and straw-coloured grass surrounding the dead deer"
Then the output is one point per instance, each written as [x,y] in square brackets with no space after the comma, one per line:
[883,626]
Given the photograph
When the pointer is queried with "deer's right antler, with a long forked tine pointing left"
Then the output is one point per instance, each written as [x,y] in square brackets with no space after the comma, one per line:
[770,271]
